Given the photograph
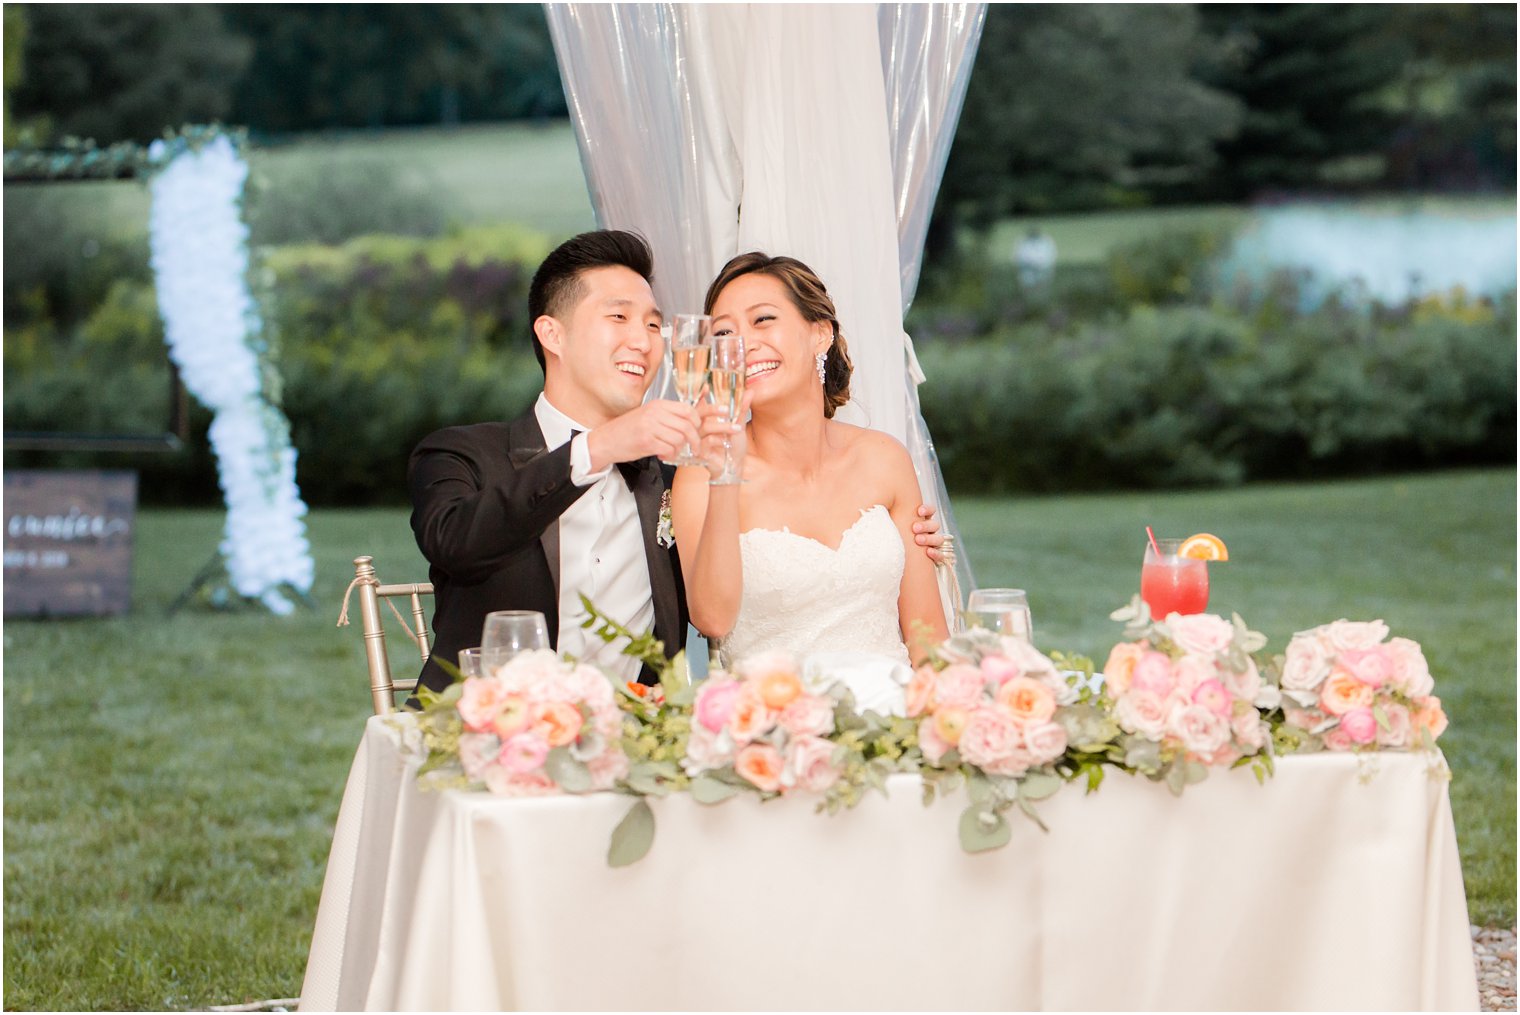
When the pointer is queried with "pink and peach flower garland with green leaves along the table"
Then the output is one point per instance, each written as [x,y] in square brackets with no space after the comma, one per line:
[989,715]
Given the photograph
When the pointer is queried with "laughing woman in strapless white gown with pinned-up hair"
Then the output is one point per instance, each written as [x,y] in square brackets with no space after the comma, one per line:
[815,551]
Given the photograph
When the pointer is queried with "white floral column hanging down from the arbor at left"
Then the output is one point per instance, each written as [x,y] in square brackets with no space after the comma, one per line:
[217,338]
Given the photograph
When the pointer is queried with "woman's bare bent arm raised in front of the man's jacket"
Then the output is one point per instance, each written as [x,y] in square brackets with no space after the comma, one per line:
[706,523]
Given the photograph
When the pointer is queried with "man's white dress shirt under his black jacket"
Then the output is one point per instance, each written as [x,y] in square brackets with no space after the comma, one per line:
[601,552]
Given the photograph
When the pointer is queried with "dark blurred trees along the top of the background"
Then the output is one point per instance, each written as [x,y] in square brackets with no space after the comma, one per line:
[1069,106]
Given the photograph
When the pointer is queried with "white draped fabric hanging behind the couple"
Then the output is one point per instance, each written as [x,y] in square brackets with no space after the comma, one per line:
[809,130]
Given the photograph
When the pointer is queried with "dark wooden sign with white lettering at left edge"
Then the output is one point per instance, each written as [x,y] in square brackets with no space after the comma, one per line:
[69,543]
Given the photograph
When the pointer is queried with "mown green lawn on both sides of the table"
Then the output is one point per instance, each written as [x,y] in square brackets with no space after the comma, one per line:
[173,782]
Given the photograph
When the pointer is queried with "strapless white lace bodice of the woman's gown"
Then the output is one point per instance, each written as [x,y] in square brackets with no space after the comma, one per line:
[805,596]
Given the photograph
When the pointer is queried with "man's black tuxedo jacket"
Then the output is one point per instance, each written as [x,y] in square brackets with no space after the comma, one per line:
[486,511]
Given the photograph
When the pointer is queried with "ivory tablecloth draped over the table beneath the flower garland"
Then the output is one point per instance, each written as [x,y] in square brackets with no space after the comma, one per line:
[1335,887]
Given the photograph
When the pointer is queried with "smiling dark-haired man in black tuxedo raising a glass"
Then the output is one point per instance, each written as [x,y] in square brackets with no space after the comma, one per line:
[568,498]
